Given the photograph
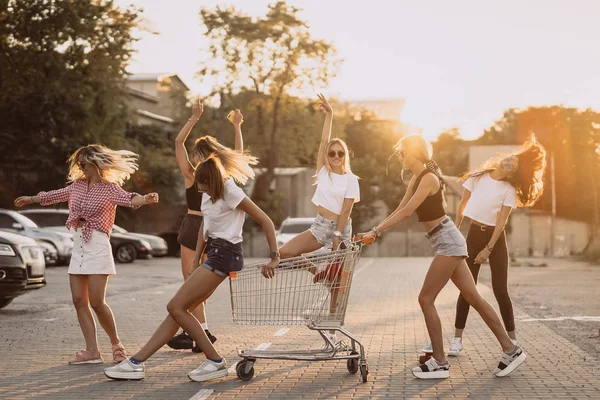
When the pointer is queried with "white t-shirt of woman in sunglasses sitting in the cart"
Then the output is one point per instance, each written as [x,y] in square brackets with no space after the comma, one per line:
[333,188]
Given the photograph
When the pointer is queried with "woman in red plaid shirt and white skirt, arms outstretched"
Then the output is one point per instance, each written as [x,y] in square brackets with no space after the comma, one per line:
[96,174]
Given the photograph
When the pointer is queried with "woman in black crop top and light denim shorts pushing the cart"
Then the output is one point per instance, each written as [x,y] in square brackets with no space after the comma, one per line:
[425,197]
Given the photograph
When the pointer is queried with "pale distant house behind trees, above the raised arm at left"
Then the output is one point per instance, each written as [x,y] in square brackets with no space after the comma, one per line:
[157,99]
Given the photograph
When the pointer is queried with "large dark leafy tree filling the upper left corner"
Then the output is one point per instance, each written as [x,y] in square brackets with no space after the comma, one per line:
[62,68]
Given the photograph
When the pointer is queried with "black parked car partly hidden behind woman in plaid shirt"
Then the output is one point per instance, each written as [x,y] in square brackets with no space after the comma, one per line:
[126,248]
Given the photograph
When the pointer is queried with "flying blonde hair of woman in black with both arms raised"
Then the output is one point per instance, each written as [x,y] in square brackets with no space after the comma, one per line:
[233,163]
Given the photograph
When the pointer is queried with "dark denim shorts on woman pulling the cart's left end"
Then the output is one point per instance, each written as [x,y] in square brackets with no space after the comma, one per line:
[223,257]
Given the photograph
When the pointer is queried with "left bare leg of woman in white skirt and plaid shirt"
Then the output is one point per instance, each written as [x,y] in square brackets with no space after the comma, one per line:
[79,293]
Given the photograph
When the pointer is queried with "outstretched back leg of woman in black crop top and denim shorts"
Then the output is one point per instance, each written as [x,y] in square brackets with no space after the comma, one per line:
[463,280]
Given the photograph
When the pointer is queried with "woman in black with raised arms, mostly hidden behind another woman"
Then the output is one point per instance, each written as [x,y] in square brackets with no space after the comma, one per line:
[190,226]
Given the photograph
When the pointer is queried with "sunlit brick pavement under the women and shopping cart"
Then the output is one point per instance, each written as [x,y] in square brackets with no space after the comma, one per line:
[39,333]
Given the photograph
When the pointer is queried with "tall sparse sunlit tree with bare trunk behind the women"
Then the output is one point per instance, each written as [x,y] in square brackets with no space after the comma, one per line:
[271,56]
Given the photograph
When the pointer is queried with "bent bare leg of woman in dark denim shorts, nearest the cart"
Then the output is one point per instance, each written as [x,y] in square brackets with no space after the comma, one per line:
[198,287]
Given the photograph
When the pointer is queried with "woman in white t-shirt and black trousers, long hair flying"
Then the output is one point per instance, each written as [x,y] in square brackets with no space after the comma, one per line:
[490,195]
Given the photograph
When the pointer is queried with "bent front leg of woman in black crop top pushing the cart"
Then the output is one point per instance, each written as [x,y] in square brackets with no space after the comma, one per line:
[437,277]
